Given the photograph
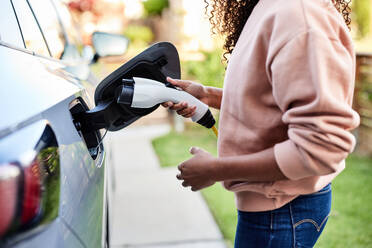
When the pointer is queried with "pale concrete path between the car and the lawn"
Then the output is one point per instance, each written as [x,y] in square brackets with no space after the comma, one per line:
[151,207]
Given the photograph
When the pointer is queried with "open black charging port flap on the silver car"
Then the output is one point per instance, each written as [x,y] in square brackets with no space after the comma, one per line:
[157,62]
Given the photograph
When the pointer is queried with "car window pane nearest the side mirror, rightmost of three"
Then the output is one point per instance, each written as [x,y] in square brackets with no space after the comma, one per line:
[49,23]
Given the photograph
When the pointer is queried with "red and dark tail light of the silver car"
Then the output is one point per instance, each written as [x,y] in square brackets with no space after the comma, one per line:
[29,180]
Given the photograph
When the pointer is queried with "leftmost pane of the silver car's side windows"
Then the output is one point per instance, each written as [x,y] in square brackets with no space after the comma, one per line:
[9,30]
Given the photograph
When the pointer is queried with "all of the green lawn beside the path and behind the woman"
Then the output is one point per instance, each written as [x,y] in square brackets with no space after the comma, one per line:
[350,224]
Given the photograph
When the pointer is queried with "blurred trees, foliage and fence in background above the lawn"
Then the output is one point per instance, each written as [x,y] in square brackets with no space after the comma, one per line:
[185,24]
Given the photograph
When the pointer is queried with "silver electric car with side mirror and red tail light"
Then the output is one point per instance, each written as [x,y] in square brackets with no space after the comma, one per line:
[55,183]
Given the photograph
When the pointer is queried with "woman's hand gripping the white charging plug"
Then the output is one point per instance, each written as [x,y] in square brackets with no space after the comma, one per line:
[195,89]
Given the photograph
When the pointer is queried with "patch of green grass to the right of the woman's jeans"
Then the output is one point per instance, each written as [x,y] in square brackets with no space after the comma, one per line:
[350,224]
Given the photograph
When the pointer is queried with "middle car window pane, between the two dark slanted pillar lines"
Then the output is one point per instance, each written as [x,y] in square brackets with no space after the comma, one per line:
[32,37]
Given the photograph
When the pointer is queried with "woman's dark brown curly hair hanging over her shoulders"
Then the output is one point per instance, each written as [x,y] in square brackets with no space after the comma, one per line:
[228,18]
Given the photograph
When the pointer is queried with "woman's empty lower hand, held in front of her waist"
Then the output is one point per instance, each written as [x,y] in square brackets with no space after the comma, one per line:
[197,171]
